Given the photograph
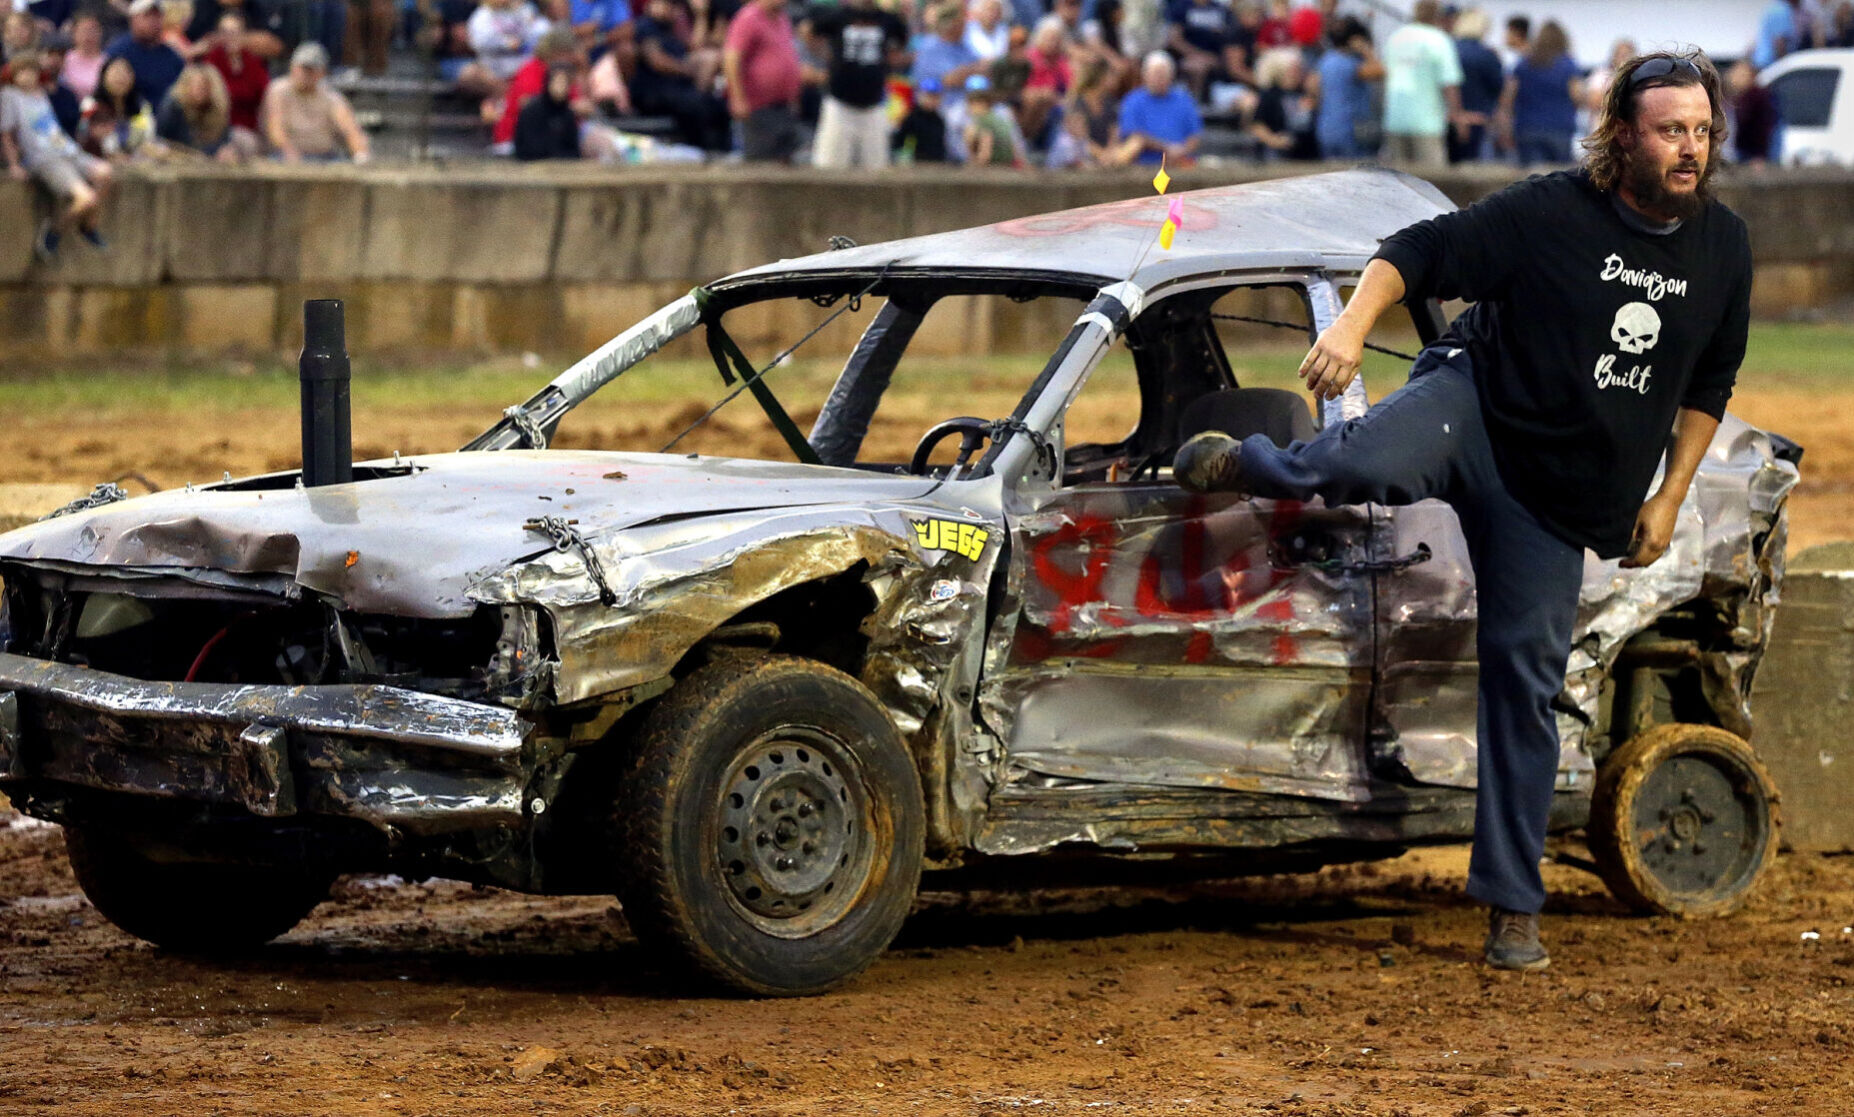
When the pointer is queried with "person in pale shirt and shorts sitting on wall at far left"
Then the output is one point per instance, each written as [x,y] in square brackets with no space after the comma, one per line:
[34,146]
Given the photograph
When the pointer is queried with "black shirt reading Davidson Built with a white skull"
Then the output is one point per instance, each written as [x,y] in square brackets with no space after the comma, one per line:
[1586,335]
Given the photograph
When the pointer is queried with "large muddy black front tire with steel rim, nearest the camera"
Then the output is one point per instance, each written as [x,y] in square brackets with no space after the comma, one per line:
[770,828]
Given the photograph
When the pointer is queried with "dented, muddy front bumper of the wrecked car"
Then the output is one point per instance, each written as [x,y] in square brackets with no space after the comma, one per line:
[381,754]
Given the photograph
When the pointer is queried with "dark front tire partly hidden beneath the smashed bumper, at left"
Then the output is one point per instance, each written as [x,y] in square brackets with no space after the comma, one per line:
[190,906]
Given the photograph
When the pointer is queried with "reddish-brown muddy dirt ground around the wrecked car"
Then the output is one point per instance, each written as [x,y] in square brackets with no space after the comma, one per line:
[1345,994]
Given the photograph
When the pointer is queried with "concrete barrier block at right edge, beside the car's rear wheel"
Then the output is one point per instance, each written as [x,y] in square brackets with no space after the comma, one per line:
[1805,702]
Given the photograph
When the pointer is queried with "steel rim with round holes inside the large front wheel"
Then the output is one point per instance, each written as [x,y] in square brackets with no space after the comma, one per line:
[793,832]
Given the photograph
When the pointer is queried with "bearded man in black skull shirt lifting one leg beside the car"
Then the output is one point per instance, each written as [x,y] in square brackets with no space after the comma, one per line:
[1606,302]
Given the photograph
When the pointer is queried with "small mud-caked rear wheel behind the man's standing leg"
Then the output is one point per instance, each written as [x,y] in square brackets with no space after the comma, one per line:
[1684,823]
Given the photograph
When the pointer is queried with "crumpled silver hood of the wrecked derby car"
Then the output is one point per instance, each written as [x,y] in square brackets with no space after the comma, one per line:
[414,545]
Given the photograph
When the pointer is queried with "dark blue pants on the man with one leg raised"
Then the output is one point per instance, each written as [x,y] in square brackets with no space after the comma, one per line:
[1429,441]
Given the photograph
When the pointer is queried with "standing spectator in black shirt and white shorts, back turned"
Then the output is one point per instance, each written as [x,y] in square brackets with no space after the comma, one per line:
[861,45]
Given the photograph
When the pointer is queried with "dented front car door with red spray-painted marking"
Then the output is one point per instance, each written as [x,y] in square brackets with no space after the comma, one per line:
[1175,641]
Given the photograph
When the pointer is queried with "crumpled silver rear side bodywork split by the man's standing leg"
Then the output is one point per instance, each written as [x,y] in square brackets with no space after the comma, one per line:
[1429,693]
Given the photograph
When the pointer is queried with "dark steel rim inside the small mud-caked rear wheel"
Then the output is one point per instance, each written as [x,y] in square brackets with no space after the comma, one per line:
[1701,825]
